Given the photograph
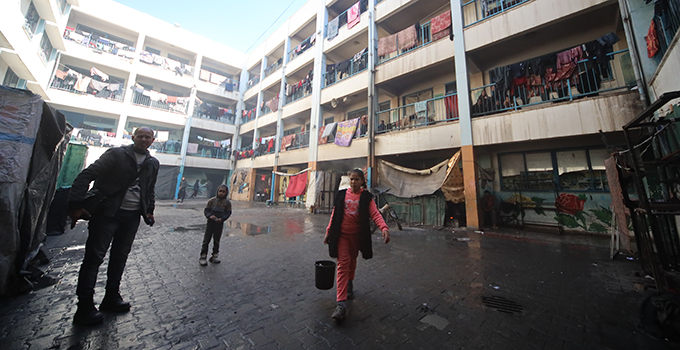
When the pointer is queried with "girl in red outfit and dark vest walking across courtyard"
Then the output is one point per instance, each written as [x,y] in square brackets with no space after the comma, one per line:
[349,232]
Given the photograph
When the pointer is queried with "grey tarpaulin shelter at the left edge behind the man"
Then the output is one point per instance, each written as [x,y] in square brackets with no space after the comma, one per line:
[32,146]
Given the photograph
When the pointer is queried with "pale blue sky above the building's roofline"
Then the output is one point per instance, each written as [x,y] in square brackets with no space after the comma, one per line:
[235,23]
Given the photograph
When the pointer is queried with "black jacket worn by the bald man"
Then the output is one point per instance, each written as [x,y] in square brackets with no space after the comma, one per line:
[114,170]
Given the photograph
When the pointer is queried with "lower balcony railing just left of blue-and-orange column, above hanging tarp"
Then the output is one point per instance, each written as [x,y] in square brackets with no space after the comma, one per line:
[419,114]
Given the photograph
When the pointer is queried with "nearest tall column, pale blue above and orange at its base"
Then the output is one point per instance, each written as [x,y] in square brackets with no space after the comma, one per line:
[463,86]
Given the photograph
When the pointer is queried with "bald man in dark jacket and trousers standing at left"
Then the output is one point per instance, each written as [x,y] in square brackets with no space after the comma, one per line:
[125,177]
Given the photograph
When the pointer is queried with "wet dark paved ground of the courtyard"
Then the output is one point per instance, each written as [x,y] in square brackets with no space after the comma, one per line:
[427,289]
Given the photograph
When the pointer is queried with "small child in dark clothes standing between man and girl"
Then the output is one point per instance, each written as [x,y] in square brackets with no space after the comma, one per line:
[218,210]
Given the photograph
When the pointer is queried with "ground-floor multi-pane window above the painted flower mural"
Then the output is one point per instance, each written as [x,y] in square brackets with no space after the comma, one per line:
[573,170]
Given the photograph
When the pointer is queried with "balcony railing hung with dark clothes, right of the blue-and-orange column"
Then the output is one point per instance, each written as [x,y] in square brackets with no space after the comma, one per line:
[617,74]
